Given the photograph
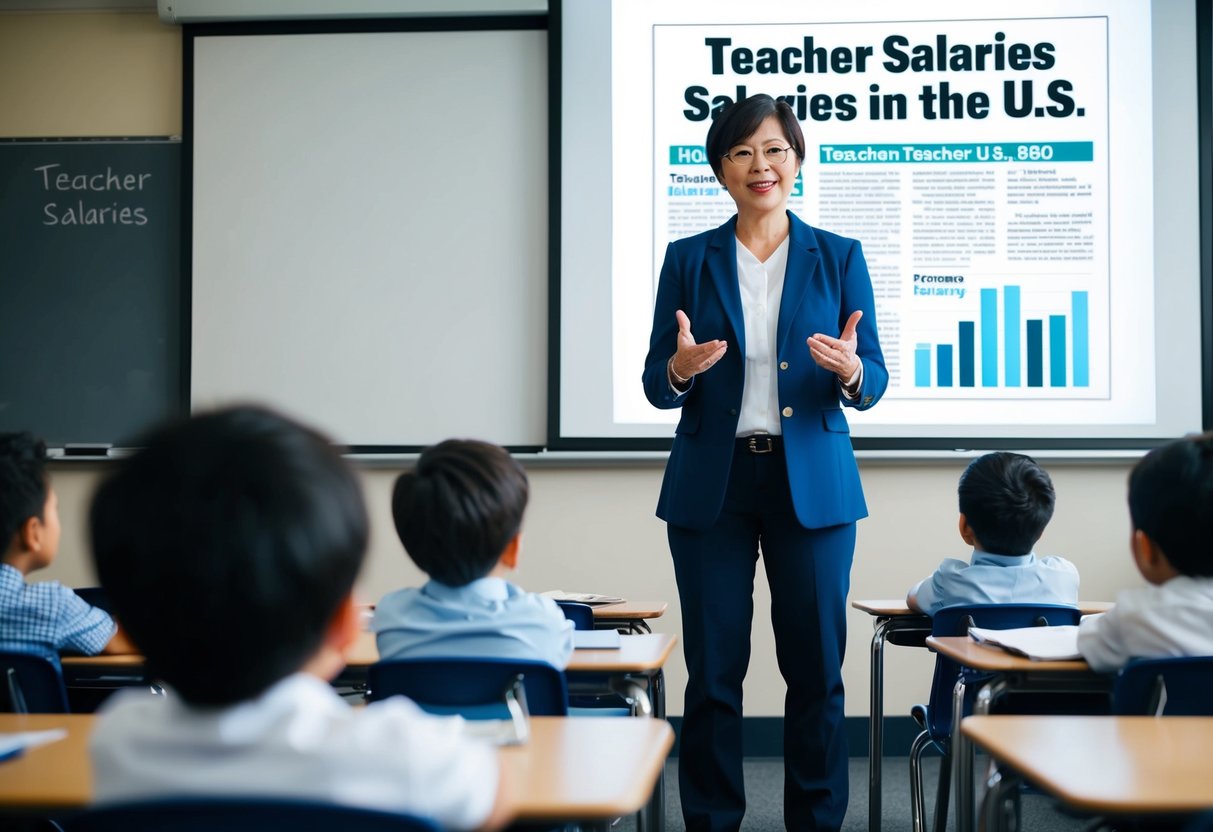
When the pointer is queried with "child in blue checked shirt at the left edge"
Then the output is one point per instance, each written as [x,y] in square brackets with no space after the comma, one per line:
[44,618]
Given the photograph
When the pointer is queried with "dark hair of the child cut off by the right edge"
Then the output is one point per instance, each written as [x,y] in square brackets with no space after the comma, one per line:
[1171,500]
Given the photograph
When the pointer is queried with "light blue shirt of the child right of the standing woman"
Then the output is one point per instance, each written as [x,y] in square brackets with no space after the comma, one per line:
[999,579]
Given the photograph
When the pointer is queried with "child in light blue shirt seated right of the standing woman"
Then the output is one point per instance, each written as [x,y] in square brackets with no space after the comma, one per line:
[1006,503]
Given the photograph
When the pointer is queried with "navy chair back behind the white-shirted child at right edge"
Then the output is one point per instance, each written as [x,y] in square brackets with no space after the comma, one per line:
[1177,687]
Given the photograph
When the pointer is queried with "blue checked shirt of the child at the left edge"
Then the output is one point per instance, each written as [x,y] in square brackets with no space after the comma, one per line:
[48,618]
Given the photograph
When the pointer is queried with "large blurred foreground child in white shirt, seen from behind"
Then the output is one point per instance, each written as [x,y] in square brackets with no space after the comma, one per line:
[230,549]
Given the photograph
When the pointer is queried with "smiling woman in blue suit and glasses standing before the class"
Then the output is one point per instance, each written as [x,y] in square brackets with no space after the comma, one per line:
[764,329]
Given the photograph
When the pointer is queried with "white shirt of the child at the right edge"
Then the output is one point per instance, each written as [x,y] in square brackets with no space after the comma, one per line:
[1174,619]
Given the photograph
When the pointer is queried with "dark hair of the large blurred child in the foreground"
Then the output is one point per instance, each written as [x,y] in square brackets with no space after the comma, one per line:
[226,548]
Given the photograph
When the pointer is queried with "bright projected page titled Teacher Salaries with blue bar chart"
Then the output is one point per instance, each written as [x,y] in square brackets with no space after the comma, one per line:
[977,158]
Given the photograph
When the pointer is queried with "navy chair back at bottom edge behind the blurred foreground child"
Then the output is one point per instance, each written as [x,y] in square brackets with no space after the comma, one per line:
[242,816]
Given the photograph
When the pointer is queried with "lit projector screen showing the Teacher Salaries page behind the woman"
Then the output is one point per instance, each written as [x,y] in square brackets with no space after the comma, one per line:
[1023,178]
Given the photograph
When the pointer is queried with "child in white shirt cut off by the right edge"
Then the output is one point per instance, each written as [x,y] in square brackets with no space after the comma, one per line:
[1171,508]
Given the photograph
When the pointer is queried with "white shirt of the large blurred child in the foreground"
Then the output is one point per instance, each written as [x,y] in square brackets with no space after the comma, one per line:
[298,740]
